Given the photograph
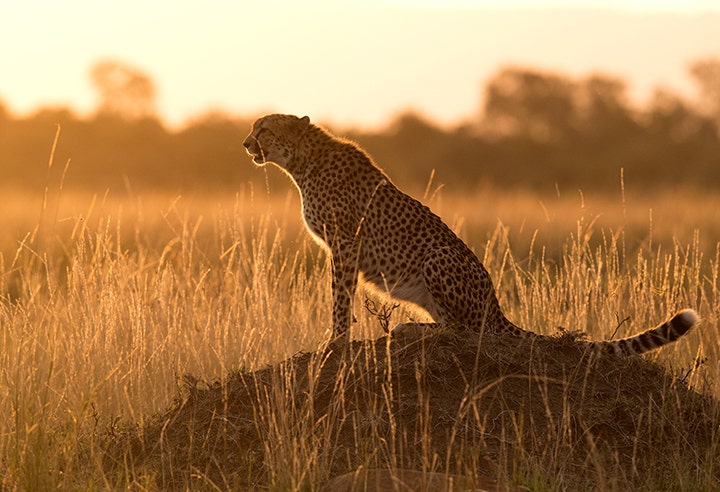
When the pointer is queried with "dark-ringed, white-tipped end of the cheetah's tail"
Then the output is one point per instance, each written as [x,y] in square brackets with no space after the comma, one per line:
[667,332]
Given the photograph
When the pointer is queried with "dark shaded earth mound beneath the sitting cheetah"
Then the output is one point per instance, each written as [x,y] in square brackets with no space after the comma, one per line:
[542,413]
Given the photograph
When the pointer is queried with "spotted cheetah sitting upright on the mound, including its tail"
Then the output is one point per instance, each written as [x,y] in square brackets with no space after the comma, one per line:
[375,232]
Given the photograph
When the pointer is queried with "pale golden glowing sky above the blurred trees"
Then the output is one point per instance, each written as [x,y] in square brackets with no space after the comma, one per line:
[350,62]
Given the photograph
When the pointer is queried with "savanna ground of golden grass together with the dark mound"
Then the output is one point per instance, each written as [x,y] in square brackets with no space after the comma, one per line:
[161,342]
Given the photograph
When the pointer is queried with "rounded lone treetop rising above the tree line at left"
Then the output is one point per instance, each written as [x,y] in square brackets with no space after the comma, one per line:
[124,91]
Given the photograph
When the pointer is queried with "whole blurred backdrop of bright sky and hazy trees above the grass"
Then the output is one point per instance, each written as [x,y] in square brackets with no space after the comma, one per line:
[547,96]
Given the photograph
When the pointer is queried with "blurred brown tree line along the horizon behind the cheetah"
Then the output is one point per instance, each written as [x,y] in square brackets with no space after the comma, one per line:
[537,130]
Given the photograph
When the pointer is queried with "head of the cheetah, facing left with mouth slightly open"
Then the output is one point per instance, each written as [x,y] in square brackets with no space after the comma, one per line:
[274,138]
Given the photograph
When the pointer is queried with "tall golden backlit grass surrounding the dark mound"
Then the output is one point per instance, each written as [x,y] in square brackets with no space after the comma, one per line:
[108,301]
